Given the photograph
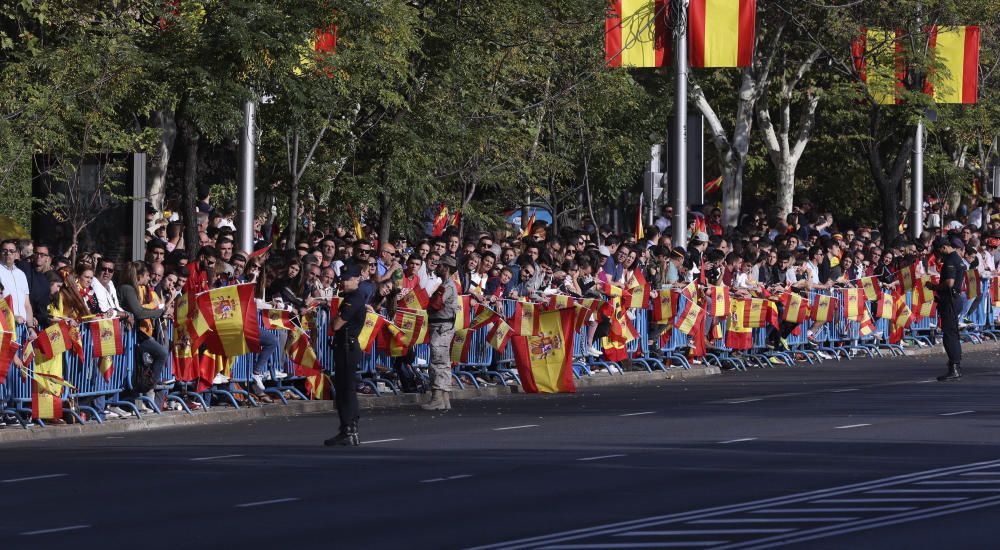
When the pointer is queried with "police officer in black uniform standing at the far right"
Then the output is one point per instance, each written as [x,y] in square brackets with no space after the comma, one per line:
[946,295]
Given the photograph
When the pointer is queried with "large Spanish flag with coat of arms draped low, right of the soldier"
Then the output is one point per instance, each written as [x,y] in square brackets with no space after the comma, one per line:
[545,360]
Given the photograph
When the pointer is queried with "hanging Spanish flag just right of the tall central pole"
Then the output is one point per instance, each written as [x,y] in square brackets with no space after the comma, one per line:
[722,32]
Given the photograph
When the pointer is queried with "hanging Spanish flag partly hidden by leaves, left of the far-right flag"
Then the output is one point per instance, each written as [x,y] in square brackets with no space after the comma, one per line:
[878,58]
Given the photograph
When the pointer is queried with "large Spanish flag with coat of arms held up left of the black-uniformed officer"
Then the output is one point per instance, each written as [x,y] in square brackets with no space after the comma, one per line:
[231,313]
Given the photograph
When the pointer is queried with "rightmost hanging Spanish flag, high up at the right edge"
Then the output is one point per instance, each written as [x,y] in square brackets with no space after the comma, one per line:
[956,51]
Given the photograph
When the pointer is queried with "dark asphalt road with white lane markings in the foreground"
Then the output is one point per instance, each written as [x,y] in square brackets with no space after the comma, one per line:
[840,455]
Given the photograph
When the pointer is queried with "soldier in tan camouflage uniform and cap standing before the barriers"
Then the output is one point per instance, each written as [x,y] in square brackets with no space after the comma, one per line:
[442,310]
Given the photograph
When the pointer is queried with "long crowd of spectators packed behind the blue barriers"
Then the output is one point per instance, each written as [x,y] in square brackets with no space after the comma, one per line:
[807,249]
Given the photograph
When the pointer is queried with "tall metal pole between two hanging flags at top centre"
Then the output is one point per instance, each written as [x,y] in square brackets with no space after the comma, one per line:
[678,15]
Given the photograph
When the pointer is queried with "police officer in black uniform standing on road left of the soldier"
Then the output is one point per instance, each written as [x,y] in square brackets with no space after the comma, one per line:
[347,354]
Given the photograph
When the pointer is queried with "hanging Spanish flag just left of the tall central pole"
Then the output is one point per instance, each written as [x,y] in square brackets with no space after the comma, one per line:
[636,33]
